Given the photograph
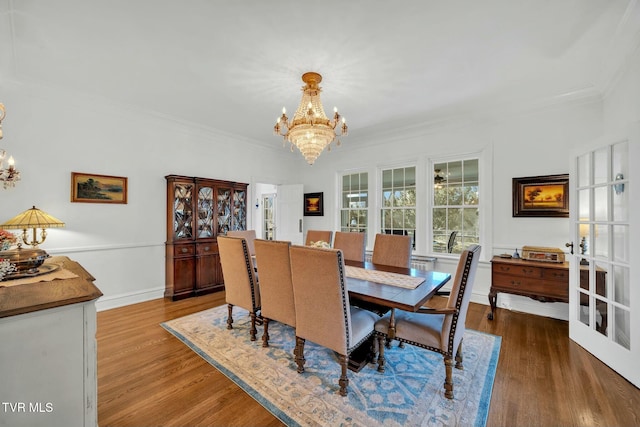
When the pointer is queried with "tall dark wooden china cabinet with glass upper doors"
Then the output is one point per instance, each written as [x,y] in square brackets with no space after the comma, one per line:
[198,210]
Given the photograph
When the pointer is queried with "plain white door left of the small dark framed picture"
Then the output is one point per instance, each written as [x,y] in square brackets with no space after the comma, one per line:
[289,207]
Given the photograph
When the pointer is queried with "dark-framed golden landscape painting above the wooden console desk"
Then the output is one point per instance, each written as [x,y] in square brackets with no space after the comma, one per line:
[541,196]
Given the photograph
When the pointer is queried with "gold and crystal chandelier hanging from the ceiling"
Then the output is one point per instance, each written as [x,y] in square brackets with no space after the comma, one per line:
[310,130]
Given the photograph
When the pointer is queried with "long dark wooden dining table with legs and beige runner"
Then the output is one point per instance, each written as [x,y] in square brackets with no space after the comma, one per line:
[381,288]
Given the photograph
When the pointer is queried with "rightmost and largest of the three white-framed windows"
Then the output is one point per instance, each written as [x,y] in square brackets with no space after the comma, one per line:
[455,210]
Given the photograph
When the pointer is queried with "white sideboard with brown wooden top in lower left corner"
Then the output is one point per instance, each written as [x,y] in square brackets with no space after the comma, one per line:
[48,351]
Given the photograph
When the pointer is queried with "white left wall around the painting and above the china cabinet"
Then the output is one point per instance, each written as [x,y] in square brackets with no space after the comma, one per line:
[51,134]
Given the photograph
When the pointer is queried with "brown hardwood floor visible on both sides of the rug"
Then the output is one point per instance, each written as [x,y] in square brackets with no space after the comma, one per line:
[146,377]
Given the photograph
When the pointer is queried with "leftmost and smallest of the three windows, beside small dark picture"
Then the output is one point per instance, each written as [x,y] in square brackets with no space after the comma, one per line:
[355,202]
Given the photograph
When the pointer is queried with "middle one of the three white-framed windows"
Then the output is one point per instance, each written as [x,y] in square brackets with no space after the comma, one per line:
[398,212]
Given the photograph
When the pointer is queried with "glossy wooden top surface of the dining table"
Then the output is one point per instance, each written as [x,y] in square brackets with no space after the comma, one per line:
[394,296]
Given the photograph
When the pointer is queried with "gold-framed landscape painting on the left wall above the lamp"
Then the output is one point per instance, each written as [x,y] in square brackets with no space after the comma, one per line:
[92,188]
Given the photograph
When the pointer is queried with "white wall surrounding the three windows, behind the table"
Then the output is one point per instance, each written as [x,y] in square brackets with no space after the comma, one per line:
[534,142]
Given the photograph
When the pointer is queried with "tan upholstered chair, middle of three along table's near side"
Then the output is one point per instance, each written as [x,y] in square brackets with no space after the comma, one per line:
[276,287]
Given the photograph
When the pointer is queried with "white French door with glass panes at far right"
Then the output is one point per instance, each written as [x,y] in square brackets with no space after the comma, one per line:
[604,292]
